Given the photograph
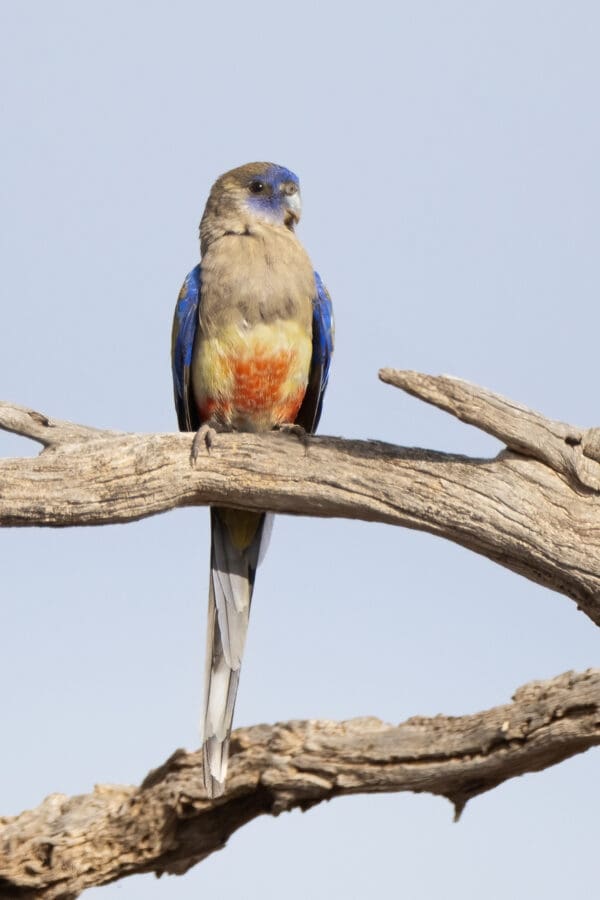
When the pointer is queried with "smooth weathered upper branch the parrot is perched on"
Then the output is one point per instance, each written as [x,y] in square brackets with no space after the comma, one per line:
[534,511]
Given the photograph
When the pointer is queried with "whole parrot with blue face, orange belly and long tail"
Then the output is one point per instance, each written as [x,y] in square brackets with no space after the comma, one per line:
[251,348]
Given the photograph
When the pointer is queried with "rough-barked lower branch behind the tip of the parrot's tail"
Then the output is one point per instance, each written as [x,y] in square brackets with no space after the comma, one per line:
[167,825]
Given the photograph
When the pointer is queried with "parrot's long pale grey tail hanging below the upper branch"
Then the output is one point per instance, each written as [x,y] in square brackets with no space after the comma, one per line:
[236,538]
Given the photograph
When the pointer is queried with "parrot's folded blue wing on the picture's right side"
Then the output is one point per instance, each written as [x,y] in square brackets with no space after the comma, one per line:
[310,411]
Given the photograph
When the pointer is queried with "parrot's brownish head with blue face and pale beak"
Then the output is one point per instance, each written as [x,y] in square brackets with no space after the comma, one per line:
[263,191]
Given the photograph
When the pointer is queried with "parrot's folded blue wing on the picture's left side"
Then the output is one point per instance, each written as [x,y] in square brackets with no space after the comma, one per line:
[185,326]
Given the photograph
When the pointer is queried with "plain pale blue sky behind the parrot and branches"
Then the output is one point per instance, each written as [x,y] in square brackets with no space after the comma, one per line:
[448,154]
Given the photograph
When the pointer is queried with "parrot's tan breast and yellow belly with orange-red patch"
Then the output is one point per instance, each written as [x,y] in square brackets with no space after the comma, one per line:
[253,350]
